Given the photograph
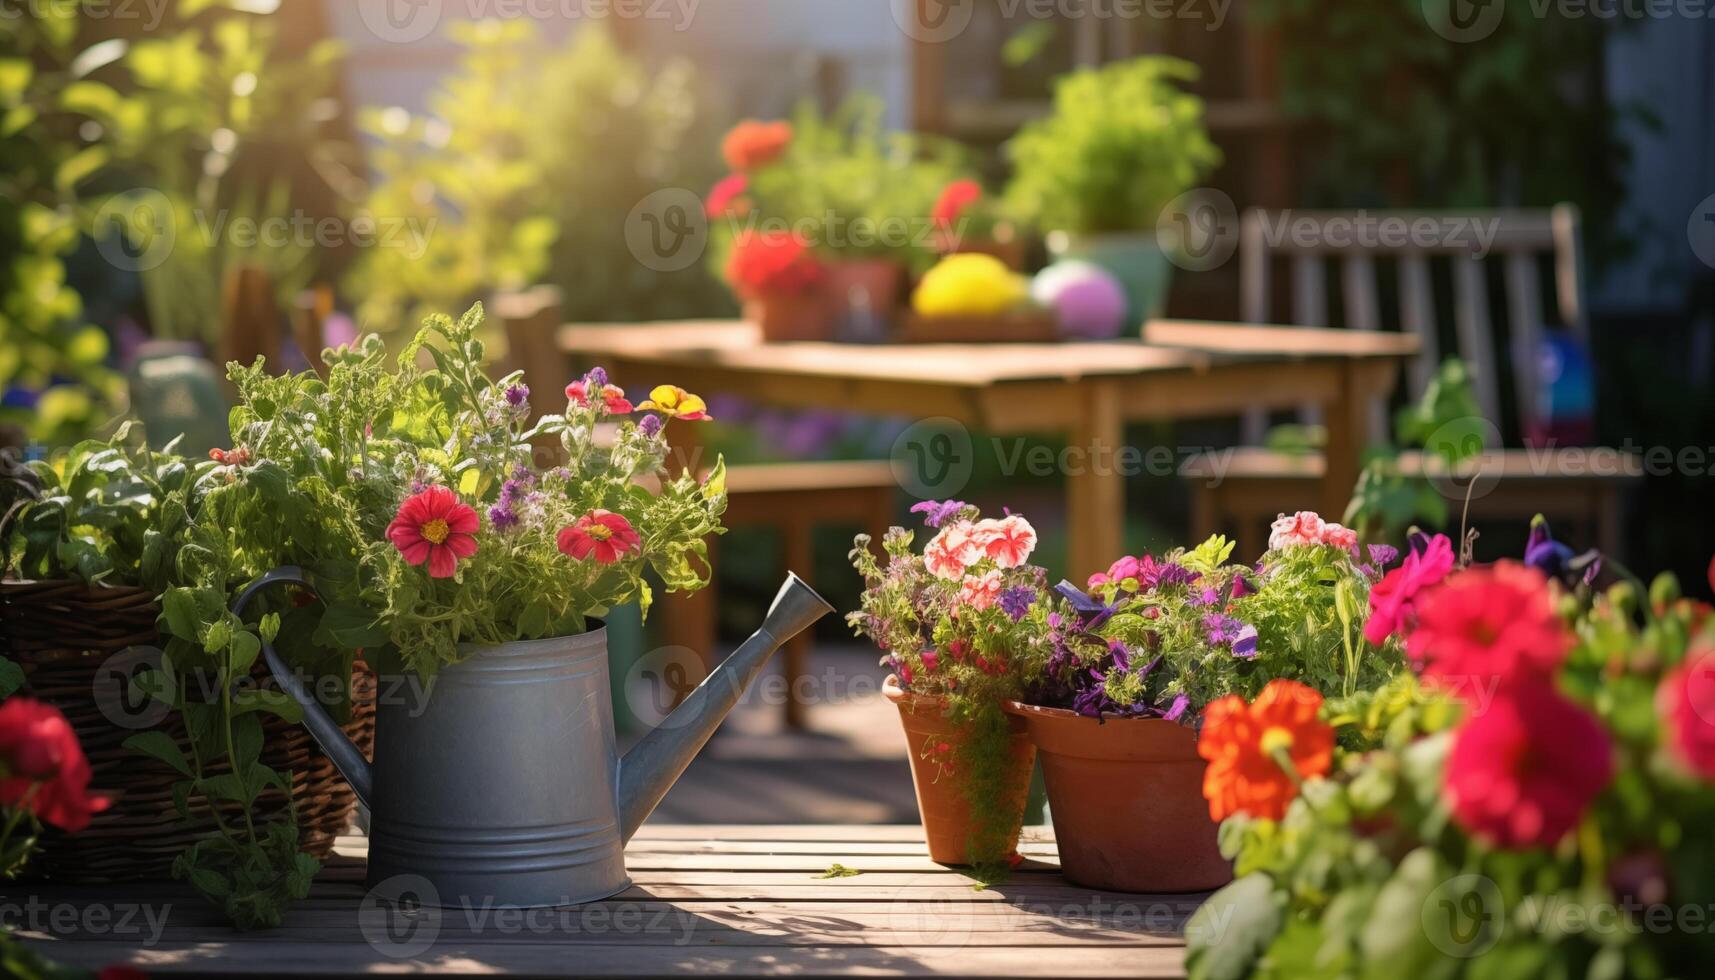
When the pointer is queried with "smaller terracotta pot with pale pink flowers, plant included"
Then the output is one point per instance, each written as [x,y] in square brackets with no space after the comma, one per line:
[956,624]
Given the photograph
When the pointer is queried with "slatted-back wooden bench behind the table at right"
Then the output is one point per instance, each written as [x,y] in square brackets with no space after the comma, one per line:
[1575,487]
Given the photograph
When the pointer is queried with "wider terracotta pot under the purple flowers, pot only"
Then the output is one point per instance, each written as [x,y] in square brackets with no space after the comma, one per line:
[1128,802]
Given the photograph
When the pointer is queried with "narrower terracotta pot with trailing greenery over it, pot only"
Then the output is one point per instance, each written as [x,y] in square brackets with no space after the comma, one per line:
[942,802]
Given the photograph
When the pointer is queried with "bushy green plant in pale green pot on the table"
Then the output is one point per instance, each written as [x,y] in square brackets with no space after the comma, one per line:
[1122,142]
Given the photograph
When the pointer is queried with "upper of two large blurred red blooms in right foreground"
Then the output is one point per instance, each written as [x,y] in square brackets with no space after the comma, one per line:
[1489,624]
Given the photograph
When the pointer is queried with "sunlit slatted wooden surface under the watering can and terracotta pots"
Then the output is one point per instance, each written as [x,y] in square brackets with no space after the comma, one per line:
[730,900]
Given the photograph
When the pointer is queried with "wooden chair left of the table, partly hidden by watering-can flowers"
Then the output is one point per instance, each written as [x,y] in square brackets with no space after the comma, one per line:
[795,499]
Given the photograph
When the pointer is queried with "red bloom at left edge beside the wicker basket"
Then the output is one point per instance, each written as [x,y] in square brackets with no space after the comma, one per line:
[42,766]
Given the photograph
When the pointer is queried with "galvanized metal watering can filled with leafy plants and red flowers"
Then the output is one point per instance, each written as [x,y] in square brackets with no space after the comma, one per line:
[414,514]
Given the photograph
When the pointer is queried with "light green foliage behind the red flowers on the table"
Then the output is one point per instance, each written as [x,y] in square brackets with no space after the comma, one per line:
[853,188]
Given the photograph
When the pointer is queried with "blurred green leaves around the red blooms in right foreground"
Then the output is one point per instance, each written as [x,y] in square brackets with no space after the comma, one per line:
[1368,874]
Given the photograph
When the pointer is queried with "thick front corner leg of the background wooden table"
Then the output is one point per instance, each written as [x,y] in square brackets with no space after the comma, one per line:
[1095,487]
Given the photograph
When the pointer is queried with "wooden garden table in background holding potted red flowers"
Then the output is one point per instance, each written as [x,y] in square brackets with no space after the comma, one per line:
[1086,392]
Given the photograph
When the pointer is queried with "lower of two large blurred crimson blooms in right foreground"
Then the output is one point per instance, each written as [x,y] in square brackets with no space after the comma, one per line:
[1524,773]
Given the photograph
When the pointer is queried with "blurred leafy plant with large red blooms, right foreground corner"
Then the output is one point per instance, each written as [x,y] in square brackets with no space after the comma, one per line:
[1517,804]
